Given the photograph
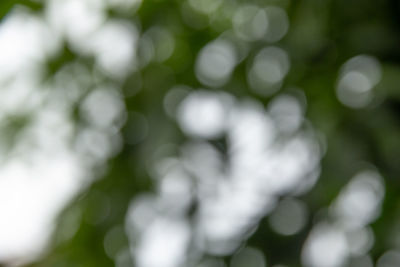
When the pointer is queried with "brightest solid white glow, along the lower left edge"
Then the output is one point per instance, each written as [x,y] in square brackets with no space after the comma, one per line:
[35,184]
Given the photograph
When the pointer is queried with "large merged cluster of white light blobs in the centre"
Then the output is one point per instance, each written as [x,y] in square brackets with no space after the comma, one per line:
[236,183]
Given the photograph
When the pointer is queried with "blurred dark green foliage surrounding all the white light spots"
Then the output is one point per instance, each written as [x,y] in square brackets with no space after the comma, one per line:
[322,36]
